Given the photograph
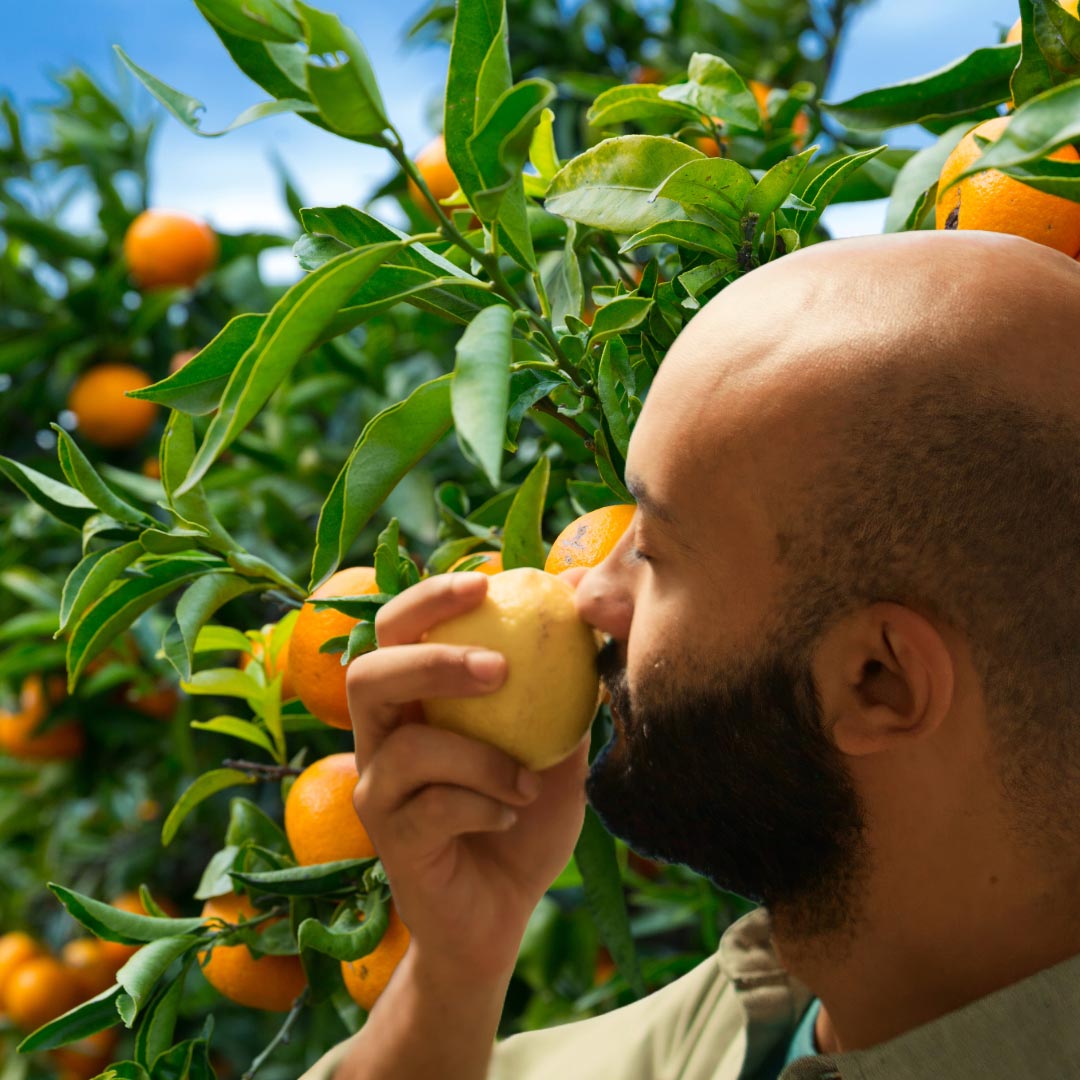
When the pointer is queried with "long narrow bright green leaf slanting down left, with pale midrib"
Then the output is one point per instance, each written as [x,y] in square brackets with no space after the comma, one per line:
[291,329]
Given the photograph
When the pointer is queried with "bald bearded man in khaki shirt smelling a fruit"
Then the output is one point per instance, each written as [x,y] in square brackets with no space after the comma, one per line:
[845,667]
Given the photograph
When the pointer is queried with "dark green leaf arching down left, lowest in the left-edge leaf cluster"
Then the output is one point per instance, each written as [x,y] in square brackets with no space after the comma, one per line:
[118,609]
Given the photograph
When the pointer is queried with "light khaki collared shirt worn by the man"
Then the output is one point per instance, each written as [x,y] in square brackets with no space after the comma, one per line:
[725,1019]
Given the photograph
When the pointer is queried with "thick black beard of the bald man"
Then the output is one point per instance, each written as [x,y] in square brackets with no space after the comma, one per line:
[735,777]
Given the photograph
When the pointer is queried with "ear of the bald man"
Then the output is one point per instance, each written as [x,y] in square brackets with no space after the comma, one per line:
[886,677]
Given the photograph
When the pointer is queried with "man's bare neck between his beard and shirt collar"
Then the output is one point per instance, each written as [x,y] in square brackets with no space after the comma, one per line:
[909,964]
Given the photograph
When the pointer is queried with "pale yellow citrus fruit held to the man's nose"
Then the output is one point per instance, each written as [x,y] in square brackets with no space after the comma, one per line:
[550,695]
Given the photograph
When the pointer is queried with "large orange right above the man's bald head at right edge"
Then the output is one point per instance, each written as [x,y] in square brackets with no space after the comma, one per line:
[997,204]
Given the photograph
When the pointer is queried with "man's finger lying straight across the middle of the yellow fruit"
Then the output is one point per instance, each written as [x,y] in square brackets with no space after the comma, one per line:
[381,683]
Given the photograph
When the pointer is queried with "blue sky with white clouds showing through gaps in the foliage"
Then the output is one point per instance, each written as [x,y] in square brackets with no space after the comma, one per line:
[231,182]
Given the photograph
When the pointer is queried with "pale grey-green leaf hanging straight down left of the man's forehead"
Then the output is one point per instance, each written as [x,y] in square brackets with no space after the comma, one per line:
[480,394]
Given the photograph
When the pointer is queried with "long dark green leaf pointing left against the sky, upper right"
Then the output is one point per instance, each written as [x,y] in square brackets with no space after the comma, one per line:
[974,83]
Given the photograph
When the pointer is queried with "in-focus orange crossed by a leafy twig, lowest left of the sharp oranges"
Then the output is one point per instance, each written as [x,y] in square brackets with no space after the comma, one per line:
[271,982]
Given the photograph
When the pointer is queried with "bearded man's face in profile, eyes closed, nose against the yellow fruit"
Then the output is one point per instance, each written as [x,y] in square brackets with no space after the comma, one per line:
[720,760]
